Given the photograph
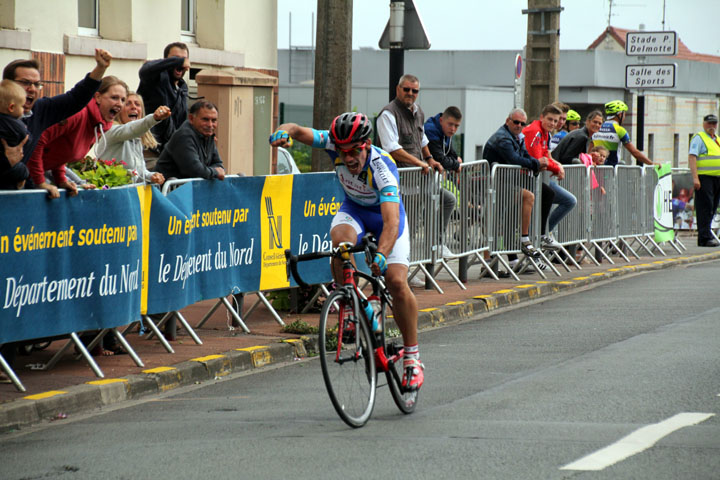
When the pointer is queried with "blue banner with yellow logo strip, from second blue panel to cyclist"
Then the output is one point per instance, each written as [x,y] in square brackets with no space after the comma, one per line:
[208,239]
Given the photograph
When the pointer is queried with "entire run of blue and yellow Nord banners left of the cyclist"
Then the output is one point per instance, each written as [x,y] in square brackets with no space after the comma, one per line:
[101,259]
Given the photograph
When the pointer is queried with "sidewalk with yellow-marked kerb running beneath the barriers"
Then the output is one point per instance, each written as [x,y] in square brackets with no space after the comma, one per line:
[65,390]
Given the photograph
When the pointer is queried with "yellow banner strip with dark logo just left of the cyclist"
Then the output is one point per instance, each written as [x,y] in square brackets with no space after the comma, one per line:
[275,207]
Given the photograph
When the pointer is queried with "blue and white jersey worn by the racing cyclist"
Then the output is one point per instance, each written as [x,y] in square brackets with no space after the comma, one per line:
[377,183]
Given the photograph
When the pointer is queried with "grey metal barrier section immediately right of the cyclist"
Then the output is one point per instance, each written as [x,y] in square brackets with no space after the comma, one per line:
[421,197]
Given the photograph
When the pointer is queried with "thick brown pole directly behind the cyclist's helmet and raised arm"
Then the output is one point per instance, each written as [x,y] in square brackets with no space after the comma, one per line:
[333,69]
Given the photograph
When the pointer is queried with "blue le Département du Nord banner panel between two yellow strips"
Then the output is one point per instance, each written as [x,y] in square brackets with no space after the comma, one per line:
[204,242]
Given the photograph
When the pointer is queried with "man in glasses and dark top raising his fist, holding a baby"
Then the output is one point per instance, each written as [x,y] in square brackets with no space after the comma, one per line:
[43,112]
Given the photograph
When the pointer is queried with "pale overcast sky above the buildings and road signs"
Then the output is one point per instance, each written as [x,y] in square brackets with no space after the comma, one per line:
[500,24]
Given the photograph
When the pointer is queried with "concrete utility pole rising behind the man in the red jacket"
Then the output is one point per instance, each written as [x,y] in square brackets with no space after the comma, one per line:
[542,55]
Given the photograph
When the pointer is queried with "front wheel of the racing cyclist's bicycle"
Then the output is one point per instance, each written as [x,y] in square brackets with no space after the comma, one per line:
[351,382]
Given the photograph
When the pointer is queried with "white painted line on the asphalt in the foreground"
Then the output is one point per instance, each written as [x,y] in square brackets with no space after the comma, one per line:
[641,439]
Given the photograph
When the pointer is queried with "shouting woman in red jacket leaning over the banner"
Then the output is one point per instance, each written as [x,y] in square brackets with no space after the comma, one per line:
[71,139]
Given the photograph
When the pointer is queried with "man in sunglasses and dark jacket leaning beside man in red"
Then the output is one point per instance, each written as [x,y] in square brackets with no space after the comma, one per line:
[506,147]
